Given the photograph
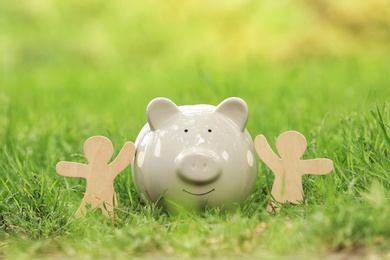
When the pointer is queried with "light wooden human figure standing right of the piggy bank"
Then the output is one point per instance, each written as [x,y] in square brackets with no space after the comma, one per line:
[289,168]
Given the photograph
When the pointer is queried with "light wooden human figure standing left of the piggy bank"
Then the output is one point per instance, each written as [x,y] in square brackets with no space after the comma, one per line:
[99,174]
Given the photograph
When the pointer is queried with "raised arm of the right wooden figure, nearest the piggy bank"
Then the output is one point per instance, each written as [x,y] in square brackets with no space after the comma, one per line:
[266,153]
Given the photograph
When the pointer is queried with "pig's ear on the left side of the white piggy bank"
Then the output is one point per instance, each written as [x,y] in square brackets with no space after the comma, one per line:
[159,110]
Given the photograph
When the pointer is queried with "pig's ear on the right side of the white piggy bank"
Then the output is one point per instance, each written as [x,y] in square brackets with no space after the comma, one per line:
[235,109]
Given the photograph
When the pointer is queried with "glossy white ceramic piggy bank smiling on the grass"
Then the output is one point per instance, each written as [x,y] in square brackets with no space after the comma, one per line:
[194,157]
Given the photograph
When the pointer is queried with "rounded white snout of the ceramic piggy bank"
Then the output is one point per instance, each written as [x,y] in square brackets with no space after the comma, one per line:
[198,167]
